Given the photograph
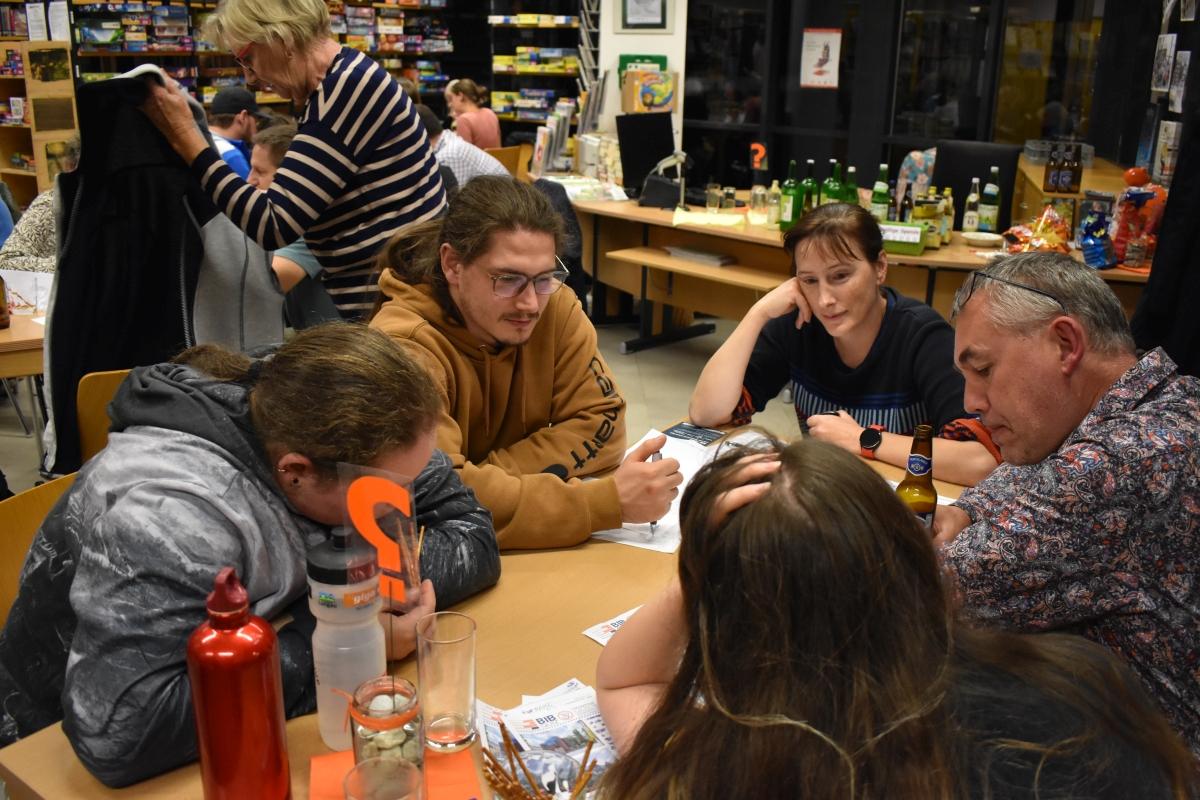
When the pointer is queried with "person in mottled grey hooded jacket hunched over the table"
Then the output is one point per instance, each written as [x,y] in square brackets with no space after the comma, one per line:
[217,460]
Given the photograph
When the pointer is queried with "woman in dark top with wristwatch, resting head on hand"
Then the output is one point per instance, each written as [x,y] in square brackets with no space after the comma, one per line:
[866,364]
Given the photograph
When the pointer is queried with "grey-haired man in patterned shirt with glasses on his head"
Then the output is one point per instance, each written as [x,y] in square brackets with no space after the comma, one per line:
[1093,525]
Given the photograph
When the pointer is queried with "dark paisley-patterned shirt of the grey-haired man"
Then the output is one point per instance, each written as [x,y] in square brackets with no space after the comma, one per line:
[1103,537]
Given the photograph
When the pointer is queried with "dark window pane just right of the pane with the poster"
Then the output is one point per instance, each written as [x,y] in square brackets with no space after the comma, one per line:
[940,70]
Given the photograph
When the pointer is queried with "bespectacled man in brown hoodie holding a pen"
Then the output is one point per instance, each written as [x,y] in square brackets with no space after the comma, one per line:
[531,406]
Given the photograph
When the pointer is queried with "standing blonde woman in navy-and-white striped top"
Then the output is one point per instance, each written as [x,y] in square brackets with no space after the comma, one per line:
[361,166]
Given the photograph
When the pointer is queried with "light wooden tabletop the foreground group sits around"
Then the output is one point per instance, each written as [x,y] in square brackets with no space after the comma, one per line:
[530,641]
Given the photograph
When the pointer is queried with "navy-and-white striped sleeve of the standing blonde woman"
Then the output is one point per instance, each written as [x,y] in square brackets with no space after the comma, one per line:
[335,140]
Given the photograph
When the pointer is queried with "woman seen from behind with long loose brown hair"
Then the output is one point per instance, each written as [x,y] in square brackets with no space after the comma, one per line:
[809,649]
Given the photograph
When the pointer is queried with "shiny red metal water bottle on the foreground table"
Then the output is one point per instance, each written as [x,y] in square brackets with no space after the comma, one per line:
[233,661]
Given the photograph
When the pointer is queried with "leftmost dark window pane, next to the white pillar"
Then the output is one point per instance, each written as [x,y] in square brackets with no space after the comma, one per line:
[727,61]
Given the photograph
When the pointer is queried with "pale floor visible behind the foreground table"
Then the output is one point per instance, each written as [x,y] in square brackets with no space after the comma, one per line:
[656,383]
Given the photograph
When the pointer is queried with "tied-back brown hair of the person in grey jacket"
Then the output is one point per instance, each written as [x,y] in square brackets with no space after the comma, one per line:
[335,393]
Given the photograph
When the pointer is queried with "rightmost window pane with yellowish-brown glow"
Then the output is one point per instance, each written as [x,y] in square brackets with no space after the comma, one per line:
[1049,69]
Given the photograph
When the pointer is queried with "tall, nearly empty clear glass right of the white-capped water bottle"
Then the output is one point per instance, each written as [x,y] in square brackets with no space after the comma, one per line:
[446,670]
